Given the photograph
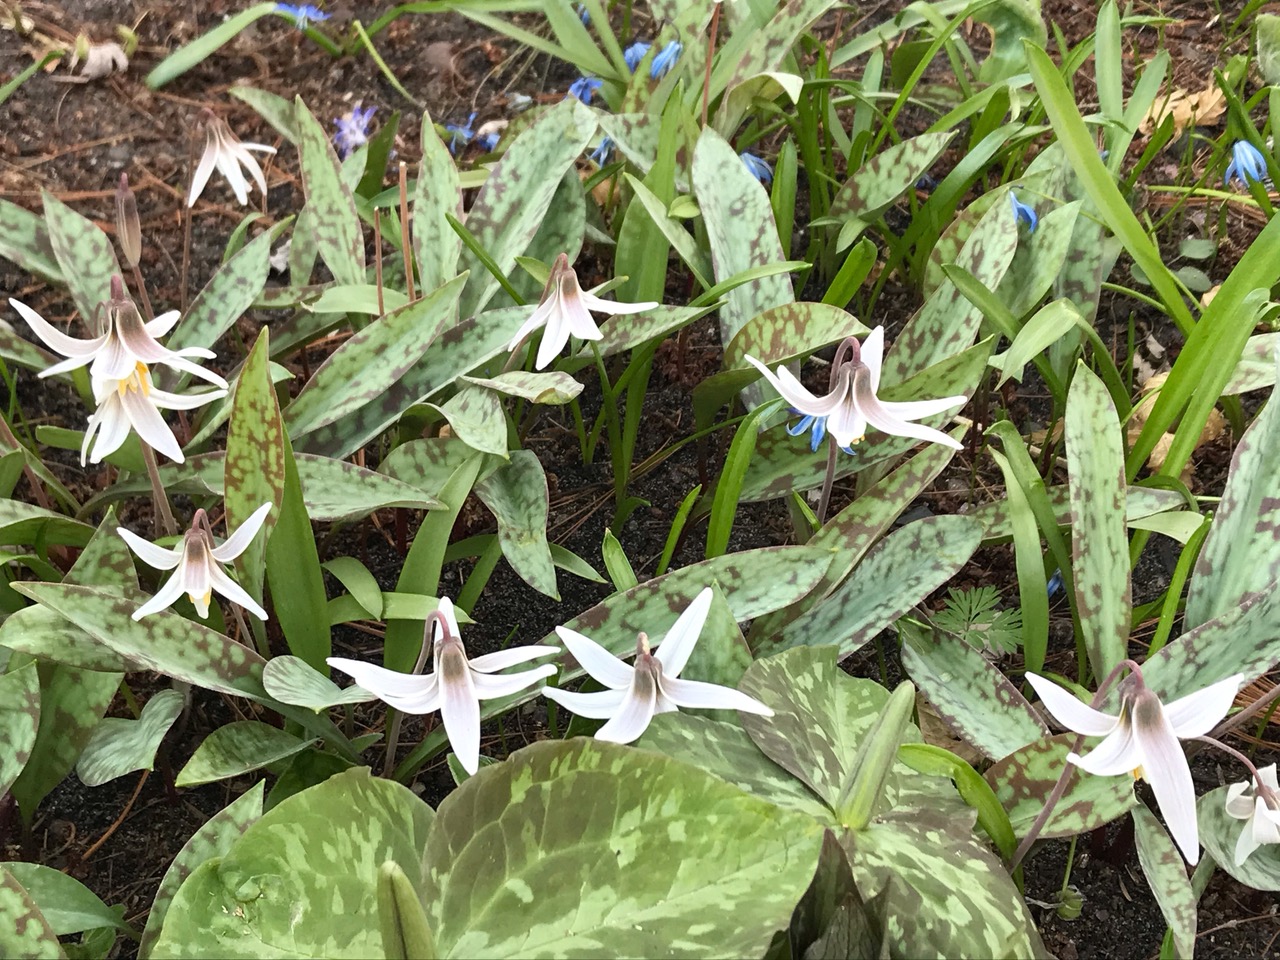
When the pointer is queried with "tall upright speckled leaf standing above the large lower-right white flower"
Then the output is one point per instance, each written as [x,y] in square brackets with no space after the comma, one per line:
[1100,545]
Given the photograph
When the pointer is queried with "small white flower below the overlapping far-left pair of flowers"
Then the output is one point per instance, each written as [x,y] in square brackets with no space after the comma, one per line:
[198,560]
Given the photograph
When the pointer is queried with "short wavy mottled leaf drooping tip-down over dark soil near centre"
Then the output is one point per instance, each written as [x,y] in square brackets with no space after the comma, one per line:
[516,496]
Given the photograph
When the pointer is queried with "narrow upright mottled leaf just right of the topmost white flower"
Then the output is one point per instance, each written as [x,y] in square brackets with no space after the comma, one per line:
[335,222]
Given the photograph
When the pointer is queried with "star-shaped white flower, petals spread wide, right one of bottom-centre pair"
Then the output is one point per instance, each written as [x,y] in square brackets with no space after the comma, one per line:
[652,685]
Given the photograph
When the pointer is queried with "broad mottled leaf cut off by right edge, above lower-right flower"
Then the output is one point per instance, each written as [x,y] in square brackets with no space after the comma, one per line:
[1242,552]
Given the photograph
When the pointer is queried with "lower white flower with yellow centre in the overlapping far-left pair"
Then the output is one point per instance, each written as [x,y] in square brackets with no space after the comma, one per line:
[131,403]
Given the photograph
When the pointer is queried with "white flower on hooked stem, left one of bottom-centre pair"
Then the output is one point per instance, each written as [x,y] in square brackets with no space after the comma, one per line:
[458,684]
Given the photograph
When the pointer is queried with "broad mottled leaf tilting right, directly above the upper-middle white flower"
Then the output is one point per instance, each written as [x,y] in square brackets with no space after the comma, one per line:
[515,200]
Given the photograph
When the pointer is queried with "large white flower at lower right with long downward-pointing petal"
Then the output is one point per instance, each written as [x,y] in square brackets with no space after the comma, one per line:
[1144,739]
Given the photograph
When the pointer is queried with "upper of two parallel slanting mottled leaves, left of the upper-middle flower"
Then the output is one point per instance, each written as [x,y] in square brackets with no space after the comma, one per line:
[374,360]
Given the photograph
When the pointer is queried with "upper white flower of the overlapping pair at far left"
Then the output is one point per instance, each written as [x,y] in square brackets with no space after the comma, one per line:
[125,344]
